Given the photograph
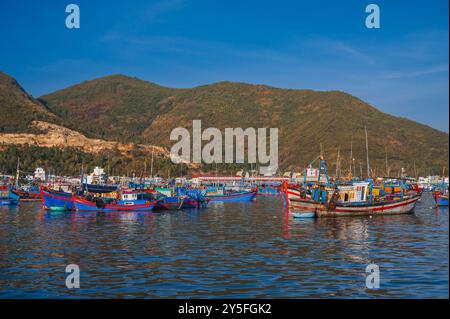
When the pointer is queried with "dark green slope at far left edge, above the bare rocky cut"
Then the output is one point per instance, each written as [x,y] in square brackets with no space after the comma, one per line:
[18,109]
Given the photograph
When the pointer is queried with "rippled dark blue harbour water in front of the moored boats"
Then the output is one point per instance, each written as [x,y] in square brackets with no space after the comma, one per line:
[227,250]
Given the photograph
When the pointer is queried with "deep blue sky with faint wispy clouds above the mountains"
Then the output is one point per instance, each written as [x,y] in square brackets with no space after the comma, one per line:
[401,68]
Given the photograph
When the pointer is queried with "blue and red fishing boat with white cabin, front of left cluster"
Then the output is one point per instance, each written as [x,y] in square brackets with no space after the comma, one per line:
[129,201]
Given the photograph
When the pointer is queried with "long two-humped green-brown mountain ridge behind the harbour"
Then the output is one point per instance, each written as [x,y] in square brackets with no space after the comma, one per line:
[123,108]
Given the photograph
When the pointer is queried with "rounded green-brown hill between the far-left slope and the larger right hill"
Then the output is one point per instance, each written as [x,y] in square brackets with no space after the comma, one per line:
[115,107]
